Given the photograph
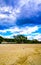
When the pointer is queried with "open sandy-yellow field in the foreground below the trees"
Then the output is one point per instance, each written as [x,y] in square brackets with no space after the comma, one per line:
[20,54]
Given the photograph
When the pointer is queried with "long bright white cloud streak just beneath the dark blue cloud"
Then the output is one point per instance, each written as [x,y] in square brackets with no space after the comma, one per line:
[24,30]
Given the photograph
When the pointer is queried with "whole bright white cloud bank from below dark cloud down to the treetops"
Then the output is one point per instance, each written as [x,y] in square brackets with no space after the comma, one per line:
[30,32]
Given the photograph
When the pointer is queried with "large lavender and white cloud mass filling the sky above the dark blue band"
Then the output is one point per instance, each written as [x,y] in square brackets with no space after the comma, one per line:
[20,8]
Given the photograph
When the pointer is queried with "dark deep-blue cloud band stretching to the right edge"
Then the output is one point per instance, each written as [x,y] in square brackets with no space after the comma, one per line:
[27,21]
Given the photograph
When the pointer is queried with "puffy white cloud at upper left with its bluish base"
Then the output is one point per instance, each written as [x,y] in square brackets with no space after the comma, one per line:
[8,15]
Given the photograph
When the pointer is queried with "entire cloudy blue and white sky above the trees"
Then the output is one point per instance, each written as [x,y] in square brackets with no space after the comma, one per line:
[20,17]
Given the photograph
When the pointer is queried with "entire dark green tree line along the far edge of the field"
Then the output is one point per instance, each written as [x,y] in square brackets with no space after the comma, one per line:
[20,39]
